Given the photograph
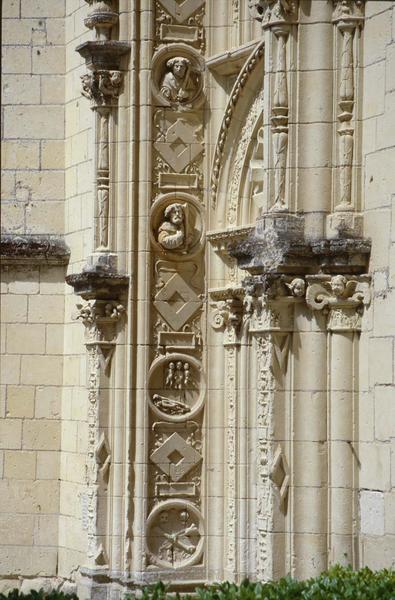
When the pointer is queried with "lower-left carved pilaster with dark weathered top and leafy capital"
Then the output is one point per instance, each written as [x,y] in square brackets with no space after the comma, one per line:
[102,315]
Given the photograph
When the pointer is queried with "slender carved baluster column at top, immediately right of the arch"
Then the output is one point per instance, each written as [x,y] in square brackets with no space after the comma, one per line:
[277,17]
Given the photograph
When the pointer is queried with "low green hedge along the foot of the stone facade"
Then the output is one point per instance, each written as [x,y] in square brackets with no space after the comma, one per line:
[336,584]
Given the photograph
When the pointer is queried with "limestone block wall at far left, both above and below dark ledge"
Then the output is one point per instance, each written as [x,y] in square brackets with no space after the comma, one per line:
[32,306]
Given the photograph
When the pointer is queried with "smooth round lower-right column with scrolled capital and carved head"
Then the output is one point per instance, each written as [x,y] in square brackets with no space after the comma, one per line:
[342,298]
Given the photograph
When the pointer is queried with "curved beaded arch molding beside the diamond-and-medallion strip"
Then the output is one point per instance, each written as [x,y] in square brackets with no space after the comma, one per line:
[227,125]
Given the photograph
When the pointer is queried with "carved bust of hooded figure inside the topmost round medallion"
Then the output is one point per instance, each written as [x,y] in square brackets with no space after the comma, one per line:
[180,82]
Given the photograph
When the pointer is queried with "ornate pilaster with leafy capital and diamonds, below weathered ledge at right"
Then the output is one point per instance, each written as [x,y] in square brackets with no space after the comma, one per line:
[270,308]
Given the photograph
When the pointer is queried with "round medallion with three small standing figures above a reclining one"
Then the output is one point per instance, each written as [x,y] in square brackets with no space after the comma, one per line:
[177,387]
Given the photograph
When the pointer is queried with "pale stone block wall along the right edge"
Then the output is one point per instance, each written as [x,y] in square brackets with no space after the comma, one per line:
[377,368]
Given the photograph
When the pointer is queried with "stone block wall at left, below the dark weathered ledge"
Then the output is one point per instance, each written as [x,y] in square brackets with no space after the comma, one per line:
[32,310]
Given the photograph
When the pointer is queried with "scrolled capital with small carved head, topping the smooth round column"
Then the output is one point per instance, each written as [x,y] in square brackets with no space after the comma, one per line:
[343,298]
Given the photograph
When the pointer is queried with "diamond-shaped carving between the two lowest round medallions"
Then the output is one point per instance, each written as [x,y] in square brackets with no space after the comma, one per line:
[175,457]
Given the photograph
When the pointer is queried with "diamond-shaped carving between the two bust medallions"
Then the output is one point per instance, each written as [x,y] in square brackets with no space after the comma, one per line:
[181,146]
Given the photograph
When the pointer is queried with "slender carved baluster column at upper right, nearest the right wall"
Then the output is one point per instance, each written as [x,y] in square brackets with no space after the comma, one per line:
[348,18]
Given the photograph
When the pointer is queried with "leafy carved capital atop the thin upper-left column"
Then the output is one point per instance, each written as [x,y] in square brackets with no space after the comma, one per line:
[102,87]
